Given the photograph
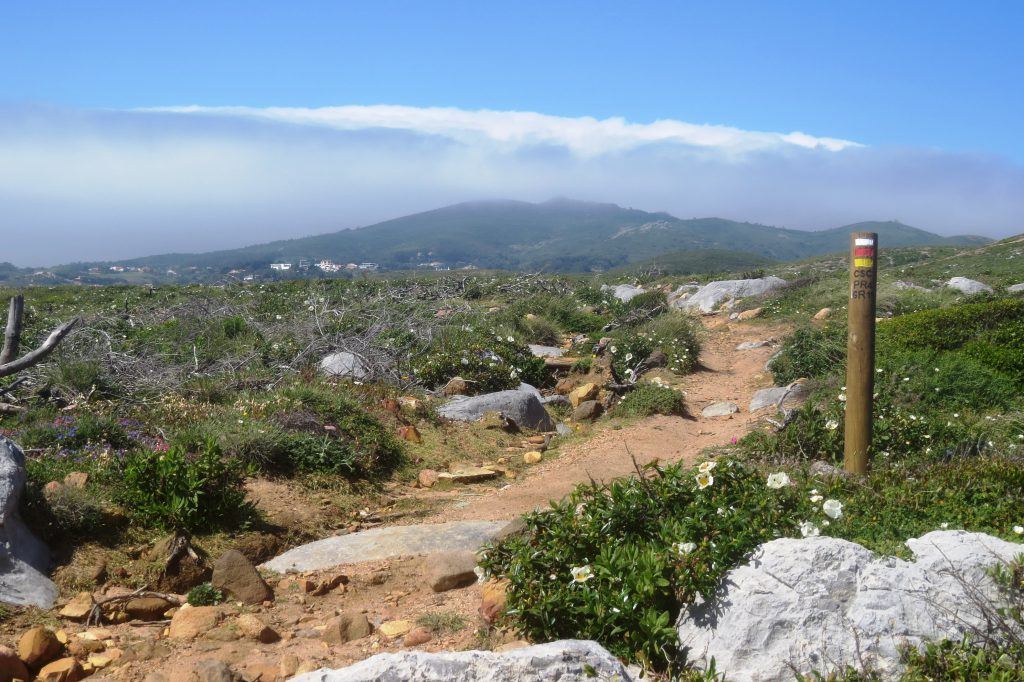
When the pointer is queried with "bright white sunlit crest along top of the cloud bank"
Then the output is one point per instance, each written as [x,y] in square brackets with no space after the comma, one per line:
[585,137]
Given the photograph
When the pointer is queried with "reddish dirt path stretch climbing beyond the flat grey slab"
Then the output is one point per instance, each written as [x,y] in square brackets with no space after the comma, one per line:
[728,374]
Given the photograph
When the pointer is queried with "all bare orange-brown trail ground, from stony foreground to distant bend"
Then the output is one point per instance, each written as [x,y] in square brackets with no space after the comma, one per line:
[337,616]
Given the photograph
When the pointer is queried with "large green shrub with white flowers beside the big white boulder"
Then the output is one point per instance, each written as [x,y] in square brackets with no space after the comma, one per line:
[618,563]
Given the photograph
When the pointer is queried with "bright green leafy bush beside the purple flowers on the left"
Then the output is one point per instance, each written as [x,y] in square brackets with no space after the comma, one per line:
[175,491]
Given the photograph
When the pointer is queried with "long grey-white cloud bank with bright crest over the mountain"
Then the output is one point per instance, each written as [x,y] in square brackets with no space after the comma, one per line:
[104,186]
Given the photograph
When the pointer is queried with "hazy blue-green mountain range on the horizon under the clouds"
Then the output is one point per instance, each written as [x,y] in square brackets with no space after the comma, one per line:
[561,236]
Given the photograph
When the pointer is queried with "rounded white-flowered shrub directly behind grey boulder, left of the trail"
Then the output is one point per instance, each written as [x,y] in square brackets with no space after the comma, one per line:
[487,361]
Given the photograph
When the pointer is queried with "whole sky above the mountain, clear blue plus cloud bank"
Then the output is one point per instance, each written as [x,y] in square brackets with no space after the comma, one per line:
[929,92]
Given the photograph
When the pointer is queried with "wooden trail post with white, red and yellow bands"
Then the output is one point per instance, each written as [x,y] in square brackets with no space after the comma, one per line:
[861,352]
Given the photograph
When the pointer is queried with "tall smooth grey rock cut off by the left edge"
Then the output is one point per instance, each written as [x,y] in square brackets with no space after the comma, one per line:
[24,560]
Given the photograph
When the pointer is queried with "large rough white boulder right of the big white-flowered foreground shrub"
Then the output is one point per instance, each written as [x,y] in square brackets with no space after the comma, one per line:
[823,605]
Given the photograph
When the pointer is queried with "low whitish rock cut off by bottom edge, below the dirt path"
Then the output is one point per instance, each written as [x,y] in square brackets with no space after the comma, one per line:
[566,661]
